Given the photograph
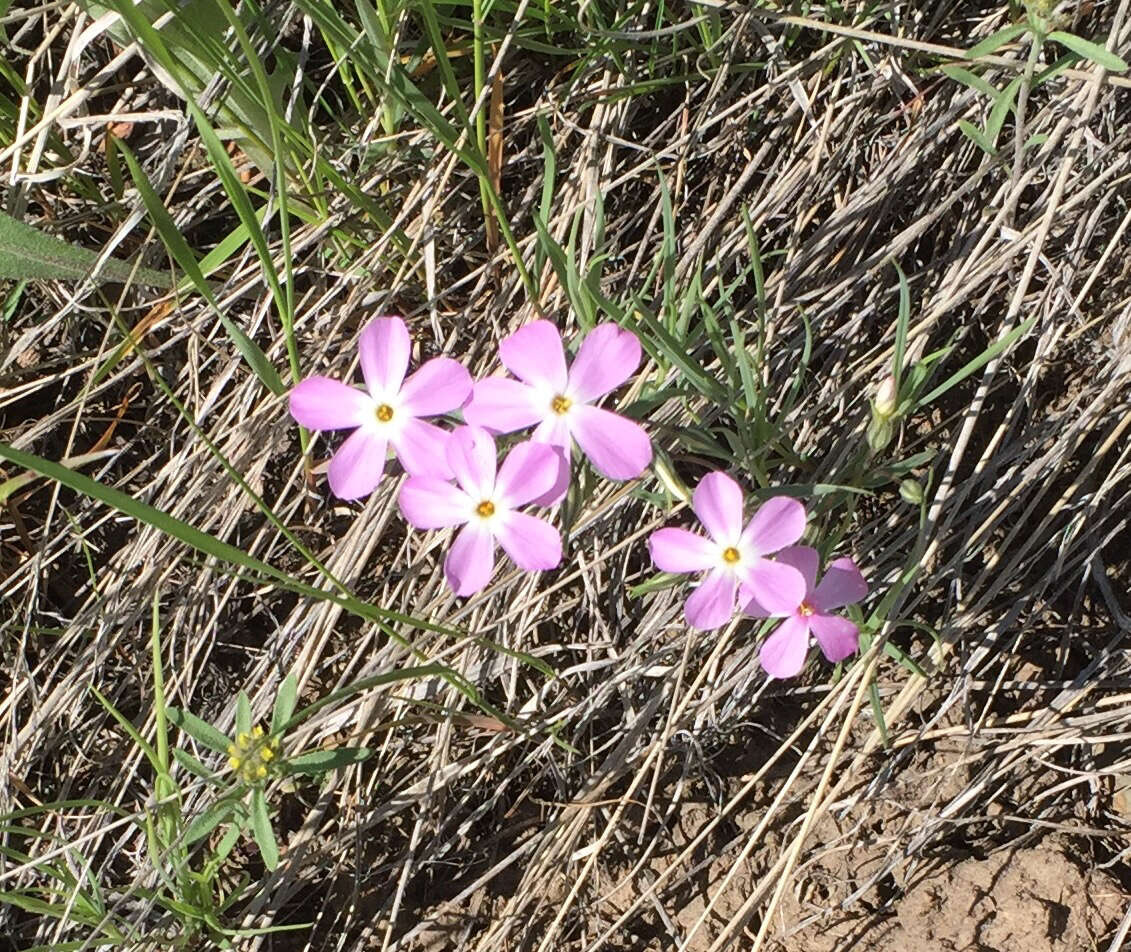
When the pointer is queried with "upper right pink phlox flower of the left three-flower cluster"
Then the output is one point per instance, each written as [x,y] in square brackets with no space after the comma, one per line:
[560,403]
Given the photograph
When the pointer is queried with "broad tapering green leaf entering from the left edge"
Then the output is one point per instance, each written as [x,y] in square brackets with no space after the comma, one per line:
[27,253]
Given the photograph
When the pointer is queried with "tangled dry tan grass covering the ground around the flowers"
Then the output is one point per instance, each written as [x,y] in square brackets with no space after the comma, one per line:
[701,808]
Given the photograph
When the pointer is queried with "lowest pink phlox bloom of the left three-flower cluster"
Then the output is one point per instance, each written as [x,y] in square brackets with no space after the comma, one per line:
[486,505]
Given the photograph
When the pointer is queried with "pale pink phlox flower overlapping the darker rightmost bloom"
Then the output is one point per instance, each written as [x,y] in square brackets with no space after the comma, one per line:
[733,556]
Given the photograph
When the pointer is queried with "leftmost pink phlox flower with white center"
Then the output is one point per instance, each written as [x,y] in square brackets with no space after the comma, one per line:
[387,413]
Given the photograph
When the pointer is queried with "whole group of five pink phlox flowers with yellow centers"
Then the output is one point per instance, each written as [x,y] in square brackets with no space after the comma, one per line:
[454,480]
